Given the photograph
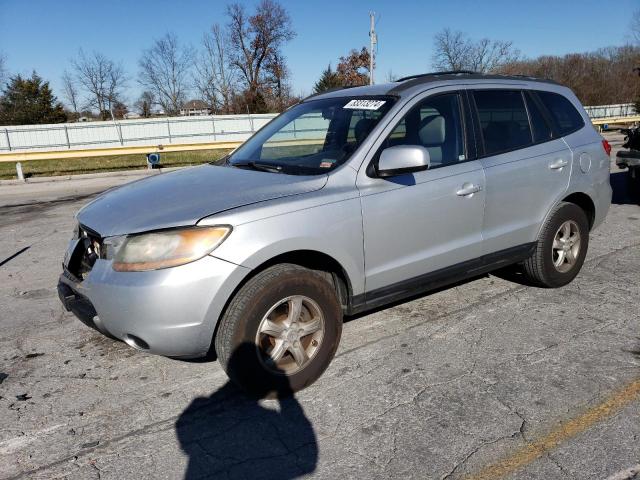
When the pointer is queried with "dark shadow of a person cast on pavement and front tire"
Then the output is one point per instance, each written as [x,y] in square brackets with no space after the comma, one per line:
[235,435]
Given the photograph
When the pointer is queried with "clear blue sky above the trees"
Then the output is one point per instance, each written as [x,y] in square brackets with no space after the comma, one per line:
[44,34]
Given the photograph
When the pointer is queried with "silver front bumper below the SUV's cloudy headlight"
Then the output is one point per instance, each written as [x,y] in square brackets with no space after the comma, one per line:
[171,312]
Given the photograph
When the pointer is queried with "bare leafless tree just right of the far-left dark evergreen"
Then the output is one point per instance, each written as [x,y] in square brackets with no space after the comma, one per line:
[101,79]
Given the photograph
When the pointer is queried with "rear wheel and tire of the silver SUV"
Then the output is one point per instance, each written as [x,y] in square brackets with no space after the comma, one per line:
[542,268]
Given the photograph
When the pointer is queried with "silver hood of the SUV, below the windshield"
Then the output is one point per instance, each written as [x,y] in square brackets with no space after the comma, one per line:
[183,197]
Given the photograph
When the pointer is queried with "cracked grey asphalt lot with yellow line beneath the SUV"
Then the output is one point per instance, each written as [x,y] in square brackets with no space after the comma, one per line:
[489,378]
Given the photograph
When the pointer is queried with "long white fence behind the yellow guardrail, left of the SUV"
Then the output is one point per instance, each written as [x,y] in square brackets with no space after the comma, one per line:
[152,131]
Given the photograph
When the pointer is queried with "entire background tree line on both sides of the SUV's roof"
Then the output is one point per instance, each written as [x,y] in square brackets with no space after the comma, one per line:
[239,67]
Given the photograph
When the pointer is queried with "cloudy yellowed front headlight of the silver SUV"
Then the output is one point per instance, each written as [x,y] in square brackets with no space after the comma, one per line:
[151,251]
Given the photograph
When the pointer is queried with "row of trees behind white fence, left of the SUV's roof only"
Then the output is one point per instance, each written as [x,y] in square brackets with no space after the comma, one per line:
[238,67]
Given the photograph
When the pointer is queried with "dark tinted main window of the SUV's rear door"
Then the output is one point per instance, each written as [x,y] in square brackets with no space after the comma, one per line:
[503,120]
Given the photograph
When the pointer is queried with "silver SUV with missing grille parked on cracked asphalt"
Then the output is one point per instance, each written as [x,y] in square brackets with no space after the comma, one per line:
[347,201]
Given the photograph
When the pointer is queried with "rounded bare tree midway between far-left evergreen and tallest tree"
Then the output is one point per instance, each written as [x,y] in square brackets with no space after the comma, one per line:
[165,70]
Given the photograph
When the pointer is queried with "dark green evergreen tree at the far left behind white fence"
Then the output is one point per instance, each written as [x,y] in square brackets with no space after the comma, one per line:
[28,101]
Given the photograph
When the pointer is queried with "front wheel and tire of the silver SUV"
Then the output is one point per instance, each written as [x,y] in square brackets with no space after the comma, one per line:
[247,333]
